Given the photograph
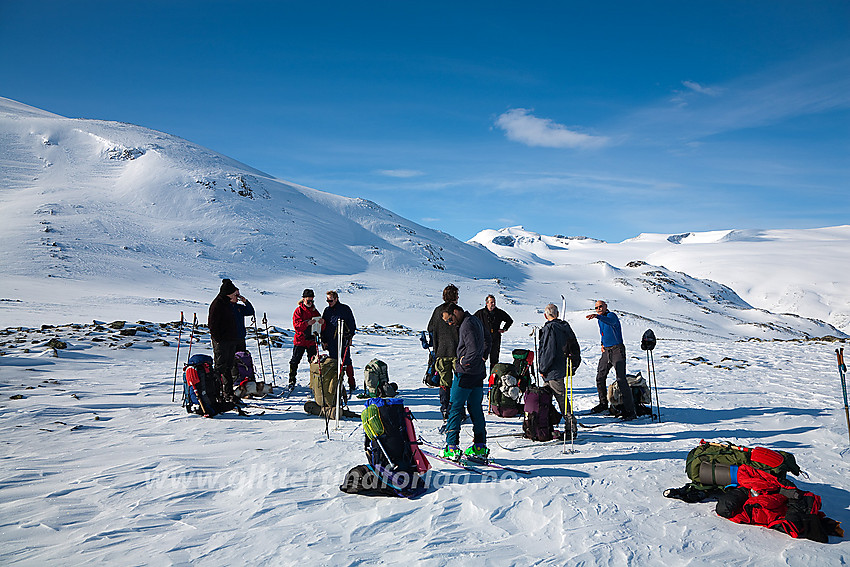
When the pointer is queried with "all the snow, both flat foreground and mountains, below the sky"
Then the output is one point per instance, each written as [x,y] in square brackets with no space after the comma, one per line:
[104,220]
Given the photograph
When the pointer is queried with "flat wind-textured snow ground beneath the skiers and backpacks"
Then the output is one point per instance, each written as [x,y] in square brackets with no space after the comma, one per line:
[146,483]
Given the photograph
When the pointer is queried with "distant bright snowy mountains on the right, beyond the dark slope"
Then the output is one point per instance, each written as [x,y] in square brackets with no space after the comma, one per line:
[794,273]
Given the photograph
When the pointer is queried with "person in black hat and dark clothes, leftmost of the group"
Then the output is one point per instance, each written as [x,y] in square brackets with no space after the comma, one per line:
[226,321]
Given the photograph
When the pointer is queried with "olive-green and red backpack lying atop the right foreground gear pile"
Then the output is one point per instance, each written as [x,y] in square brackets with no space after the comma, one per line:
[713,465]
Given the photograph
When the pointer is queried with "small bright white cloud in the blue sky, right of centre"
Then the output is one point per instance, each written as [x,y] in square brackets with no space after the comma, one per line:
[521,126]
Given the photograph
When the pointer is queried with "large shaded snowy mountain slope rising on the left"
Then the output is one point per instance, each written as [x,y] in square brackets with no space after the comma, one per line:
[110,212]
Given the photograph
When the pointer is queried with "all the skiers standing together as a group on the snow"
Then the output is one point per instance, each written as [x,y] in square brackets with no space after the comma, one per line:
[463,344]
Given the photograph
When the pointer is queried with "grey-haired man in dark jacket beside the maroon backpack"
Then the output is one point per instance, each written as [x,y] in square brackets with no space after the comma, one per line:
[558,344]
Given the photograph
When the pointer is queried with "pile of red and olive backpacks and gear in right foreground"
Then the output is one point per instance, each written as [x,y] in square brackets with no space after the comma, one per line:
[750,487]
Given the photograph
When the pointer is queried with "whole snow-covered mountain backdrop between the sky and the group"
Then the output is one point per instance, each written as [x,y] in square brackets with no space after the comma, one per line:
[101,215]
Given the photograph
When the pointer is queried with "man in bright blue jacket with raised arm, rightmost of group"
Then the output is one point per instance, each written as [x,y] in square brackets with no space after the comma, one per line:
[613,354]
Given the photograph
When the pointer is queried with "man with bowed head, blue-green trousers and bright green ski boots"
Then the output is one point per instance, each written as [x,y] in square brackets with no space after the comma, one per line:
[468,384]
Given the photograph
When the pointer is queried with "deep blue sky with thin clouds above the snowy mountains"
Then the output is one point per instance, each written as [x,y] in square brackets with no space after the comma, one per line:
[603,120]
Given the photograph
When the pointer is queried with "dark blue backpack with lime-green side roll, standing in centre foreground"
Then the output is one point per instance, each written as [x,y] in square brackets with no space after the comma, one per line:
[395,462]
